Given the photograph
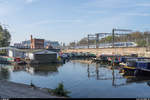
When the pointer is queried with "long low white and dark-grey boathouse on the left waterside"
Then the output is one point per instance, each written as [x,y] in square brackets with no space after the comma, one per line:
[40,56]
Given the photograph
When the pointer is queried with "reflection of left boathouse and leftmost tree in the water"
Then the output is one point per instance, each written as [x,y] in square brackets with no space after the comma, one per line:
[41,70]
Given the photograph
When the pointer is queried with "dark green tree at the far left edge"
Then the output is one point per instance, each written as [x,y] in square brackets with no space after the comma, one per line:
[5,37]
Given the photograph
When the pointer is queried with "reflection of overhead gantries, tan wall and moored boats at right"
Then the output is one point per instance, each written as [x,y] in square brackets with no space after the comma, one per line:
[101,73]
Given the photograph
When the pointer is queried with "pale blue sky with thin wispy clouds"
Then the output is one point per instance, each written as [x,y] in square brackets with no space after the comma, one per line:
[71,20]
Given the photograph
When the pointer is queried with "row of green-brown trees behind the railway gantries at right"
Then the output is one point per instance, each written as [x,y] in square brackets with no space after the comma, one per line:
[142,39]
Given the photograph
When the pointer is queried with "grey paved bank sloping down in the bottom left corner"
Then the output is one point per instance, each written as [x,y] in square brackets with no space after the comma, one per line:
[17,90]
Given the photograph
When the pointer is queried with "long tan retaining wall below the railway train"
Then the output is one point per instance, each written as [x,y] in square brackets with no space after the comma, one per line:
[141,51]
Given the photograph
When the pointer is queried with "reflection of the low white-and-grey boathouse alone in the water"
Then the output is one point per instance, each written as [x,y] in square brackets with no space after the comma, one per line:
[41,69]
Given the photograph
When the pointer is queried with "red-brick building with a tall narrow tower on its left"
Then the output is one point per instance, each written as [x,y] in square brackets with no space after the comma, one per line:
[37,43]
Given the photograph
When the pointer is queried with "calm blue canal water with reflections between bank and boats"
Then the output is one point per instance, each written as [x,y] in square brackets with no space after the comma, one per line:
[81,78]
